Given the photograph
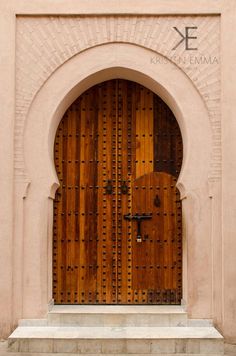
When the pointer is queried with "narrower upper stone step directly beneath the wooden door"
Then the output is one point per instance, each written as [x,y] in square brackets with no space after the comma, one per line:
[117,316]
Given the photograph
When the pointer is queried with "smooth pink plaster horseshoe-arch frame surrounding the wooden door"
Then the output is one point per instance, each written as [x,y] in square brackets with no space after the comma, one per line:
[34,212]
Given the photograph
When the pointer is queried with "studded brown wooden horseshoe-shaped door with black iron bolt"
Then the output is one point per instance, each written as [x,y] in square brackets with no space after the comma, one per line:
[117,235]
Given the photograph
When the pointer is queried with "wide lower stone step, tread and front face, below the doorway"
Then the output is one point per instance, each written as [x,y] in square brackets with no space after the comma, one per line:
[117,340]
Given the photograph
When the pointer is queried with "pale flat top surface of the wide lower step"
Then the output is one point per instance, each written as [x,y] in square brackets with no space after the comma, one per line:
[128,332]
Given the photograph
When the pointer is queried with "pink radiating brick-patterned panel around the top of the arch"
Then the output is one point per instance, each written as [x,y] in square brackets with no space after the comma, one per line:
[46,42]
